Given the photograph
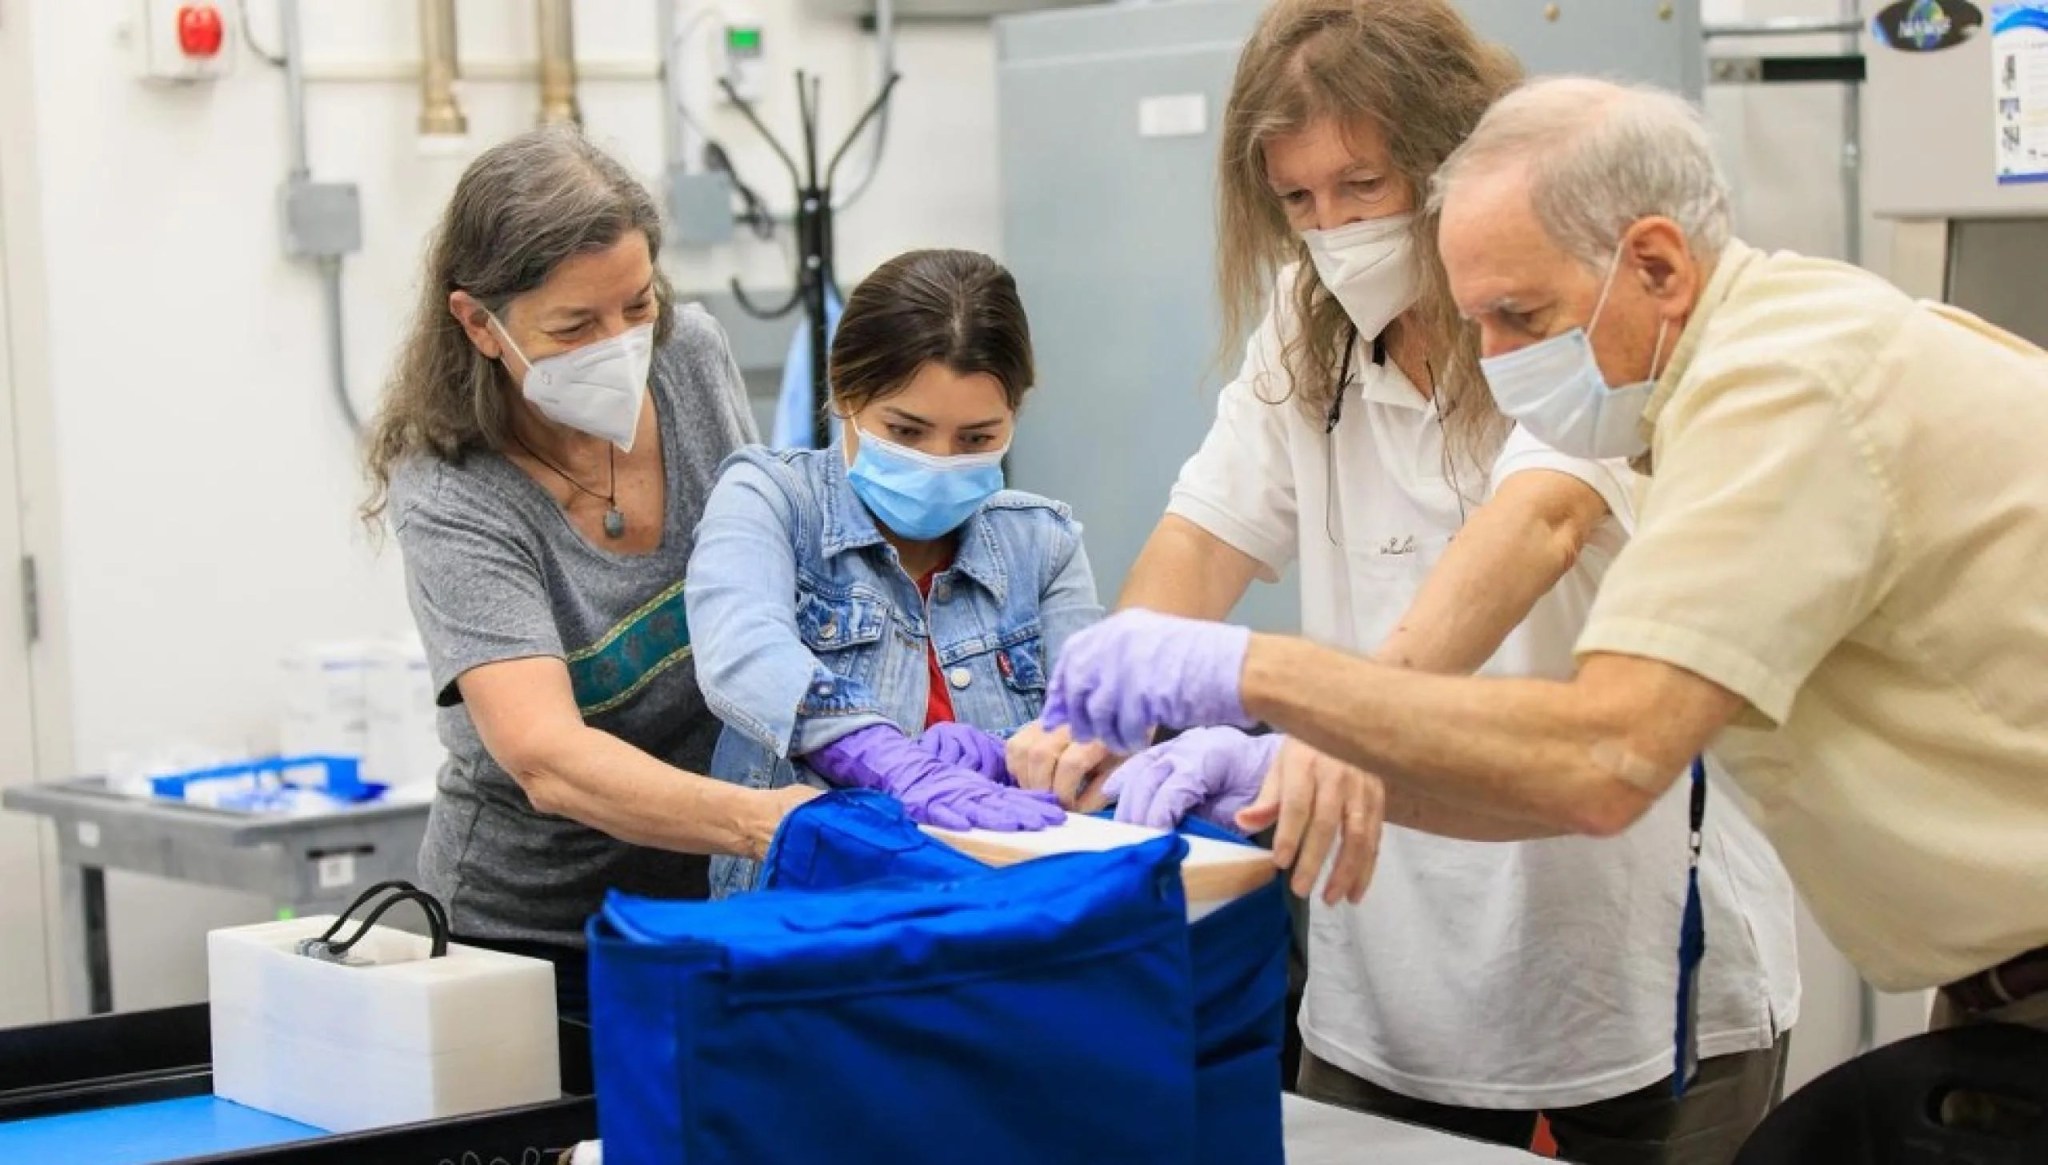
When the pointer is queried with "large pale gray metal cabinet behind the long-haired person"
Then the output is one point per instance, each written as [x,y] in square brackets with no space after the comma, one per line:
[1109,134]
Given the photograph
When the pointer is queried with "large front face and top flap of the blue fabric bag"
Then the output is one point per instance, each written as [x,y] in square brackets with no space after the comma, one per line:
[955,1012]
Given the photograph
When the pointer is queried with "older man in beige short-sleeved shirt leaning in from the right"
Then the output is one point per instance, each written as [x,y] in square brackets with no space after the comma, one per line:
[1838,585]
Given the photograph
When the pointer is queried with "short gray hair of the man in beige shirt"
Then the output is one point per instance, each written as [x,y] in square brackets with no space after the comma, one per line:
[1601,157]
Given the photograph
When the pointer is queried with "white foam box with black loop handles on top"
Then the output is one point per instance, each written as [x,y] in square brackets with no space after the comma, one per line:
[370,1047]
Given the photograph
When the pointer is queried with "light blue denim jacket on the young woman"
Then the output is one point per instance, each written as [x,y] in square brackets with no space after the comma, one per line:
[808,628]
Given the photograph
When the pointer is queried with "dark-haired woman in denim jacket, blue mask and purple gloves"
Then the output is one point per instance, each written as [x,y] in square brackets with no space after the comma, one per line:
[882,613]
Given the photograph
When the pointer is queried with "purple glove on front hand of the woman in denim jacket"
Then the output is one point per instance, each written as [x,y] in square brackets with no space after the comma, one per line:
[933,793]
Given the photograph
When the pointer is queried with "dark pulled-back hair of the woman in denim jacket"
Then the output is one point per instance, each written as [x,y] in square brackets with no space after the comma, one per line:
[949,306]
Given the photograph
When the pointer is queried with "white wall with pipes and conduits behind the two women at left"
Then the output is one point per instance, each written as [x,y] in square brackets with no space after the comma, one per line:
[204,474]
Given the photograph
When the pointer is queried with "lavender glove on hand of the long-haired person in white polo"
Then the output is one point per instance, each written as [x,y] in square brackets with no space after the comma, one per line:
[1209,773]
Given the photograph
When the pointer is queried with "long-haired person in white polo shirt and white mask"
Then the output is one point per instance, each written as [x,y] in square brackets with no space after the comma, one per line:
[1476,988]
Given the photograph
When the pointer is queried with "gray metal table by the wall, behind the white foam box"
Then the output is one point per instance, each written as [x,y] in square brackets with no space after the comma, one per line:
[302,863]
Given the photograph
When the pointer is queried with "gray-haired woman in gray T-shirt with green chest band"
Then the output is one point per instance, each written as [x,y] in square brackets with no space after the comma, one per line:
[544,456]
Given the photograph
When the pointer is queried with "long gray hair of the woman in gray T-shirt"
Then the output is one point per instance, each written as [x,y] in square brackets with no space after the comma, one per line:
[517,214]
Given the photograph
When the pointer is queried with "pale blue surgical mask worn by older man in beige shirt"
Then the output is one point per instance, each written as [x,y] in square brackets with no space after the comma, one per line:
[1555,390]
